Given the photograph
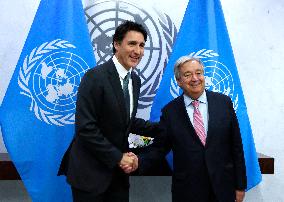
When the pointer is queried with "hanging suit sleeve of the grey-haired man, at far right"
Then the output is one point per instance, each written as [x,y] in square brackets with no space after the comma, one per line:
[238,153]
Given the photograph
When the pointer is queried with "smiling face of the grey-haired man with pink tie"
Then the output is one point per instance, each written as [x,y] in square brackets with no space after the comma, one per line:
[192,79]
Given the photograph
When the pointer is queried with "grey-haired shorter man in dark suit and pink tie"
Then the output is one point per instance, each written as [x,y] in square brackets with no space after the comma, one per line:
[202,130]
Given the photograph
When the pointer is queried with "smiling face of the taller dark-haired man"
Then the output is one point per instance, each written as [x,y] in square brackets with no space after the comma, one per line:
[130,50]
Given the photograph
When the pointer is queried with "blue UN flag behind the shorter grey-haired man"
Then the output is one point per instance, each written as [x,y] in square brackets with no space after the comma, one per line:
[203,33]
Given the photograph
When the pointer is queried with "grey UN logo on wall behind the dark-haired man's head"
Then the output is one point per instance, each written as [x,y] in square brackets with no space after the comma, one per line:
[104,16]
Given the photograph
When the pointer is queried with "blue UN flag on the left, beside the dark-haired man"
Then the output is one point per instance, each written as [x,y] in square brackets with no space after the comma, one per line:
[37,113]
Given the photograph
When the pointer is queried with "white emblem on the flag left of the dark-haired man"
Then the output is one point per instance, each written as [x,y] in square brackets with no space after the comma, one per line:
[50,76]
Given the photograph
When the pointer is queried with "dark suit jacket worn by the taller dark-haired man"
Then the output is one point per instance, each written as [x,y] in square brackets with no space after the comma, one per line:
[102,129]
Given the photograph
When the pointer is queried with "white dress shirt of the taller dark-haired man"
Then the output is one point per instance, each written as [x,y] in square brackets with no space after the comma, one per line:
[122,72]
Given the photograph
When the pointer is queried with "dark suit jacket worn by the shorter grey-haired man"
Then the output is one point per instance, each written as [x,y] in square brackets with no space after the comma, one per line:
[197,169]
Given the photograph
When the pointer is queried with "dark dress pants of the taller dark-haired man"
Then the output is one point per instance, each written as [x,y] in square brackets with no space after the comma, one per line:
[118,191]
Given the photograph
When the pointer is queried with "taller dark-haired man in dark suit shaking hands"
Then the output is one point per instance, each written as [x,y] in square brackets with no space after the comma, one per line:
[105,115]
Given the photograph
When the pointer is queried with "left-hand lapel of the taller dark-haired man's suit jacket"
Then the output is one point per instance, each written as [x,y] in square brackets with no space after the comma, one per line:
[116,86]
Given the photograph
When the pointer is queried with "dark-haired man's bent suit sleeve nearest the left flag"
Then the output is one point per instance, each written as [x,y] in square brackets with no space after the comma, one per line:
[89,134]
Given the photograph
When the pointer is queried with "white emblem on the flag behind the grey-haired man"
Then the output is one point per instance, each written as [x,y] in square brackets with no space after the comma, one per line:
[218,77]
